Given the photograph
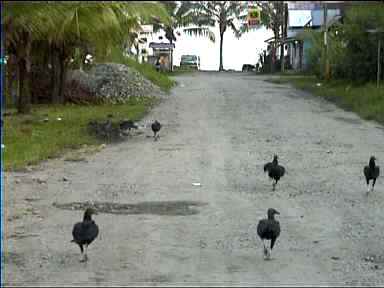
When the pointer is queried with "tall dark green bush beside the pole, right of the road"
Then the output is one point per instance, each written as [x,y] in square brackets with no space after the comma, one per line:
[352,51]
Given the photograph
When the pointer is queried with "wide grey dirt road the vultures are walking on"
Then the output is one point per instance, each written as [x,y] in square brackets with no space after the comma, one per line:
[218,130]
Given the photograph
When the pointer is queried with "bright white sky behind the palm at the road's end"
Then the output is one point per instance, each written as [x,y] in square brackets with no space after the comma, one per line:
[236,52]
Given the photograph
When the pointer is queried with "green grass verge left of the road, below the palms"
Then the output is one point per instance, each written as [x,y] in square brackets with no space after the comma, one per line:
[29,140]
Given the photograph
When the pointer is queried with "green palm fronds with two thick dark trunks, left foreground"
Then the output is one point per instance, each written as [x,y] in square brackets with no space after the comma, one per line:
[67,26]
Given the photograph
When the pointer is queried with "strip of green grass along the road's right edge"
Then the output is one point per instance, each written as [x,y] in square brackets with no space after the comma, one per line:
[365,100]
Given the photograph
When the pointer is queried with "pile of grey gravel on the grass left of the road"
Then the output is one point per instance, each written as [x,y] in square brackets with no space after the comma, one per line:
[112,83]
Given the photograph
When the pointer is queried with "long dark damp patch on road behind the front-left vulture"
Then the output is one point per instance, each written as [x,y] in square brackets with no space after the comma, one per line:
[163,208]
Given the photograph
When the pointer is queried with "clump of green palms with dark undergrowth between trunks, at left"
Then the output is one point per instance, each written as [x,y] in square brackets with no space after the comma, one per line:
[60,35]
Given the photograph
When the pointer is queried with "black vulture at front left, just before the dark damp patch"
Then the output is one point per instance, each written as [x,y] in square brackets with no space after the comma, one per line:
[85,232]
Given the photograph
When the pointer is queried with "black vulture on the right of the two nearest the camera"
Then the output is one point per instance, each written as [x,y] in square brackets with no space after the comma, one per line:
[269,229]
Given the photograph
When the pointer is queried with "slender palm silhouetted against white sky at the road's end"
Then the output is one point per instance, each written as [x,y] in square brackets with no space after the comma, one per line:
[224,13]
